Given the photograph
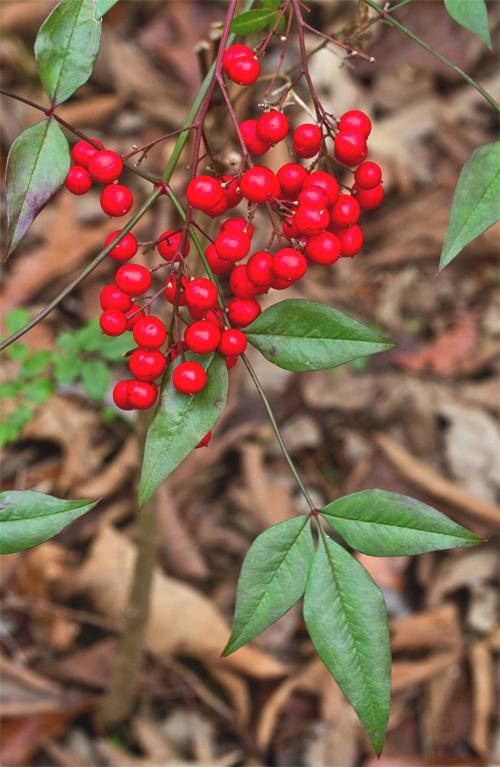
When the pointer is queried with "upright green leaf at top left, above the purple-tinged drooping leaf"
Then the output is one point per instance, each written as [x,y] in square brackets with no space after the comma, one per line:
[66,48]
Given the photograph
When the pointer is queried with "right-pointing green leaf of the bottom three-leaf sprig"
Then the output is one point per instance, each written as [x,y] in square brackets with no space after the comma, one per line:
[385,524]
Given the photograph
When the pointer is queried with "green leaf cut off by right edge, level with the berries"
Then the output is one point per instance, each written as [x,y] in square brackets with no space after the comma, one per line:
[475,205]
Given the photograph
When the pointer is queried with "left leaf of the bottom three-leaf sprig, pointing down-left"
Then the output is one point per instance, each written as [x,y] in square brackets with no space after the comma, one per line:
[272,579]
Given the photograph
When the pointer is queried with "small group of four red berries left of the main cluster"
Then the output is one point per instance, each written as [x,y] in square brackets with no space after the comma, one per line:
[104,167]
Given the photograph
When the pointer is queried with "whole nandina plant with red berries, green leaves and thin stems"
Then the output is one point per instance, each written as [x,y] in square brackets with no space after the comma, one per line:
[314,207]
